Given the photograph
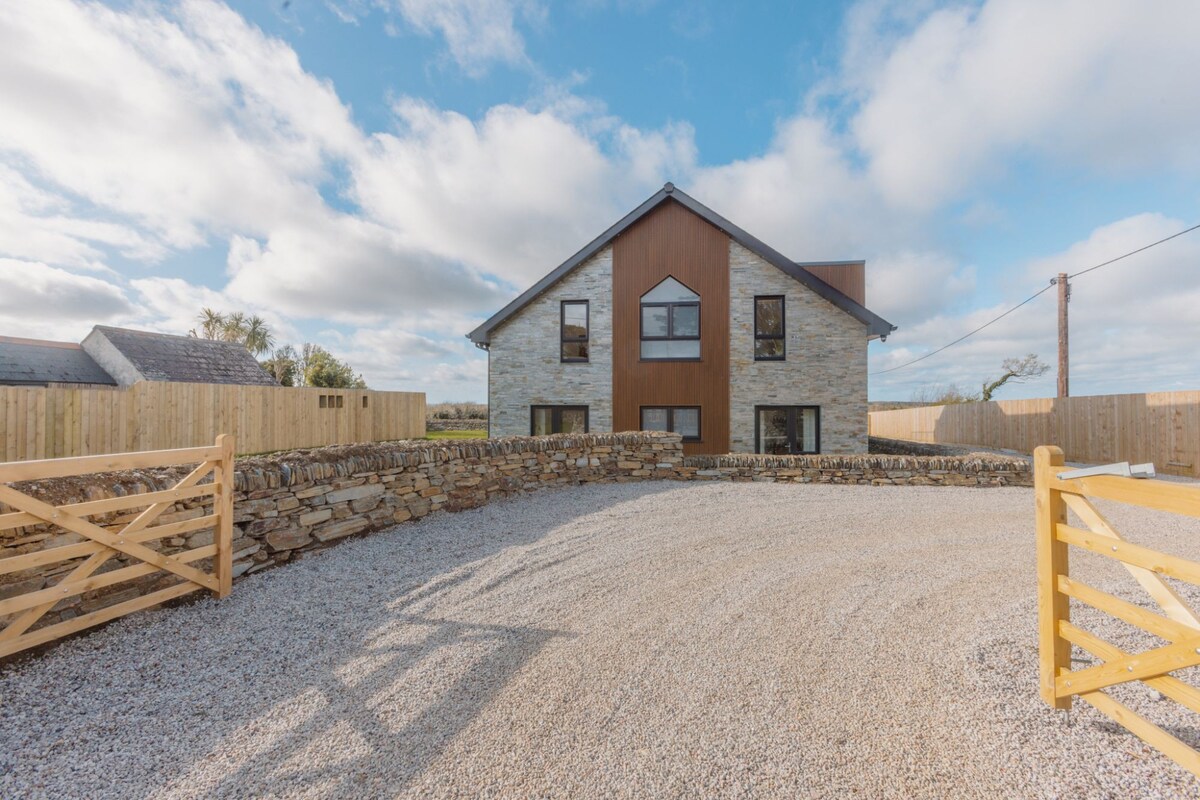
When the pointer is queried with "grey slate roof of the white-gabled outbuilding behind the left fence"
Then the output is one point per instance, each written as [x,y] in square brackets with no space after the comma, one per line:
[188,359]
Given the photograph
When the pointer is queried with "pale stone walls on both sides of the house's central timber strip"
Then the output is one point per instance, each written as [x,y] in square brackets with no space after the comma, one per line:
[826,364]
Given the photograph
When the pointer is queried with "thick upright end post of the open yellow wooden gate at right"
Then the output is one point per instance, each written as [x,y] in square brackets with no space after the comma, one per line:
[1054,652]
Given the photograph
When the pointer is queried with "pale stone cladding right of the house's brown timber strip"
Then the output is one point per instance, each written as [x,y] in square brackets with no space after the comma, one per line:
[826,362]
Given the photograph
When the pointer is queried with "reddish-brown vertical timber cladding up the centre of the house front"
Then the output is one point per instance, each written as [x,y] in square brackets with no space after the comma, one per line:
[673,242]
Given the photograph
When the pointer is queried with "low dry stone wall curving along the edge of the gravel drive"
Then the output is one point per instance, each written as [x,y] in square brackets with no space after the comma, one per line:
[290,506]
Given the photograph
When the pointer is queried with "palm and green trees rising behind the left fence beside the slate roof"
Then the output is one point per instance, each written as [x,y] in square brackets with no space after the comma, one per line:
[309,366]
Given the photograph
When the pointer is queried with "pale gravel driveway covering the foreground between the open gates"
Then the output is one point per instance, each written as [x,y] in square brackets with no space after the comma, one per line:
[641,640]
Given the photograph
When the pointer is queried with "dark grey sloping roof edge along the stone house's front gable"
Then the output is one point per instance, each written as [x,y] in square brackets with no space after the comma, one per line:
[875,324]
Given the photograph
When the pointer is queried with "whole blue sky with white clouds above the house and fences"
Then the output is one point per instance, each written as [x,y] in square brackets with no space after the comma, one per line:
[381,176]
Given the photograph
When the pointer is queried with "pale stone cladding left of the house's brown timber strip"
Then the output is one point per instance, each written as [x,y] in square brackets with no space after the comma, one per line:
[526,369]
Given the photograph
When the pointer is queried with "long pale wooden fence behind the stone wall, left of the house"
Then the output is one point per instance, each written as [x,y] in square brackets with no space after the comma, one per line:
[62,423]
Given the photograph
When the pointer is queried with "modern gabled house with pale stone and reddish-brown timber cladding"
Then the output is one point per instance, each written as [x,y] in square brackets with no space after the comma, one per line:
[677,320]
